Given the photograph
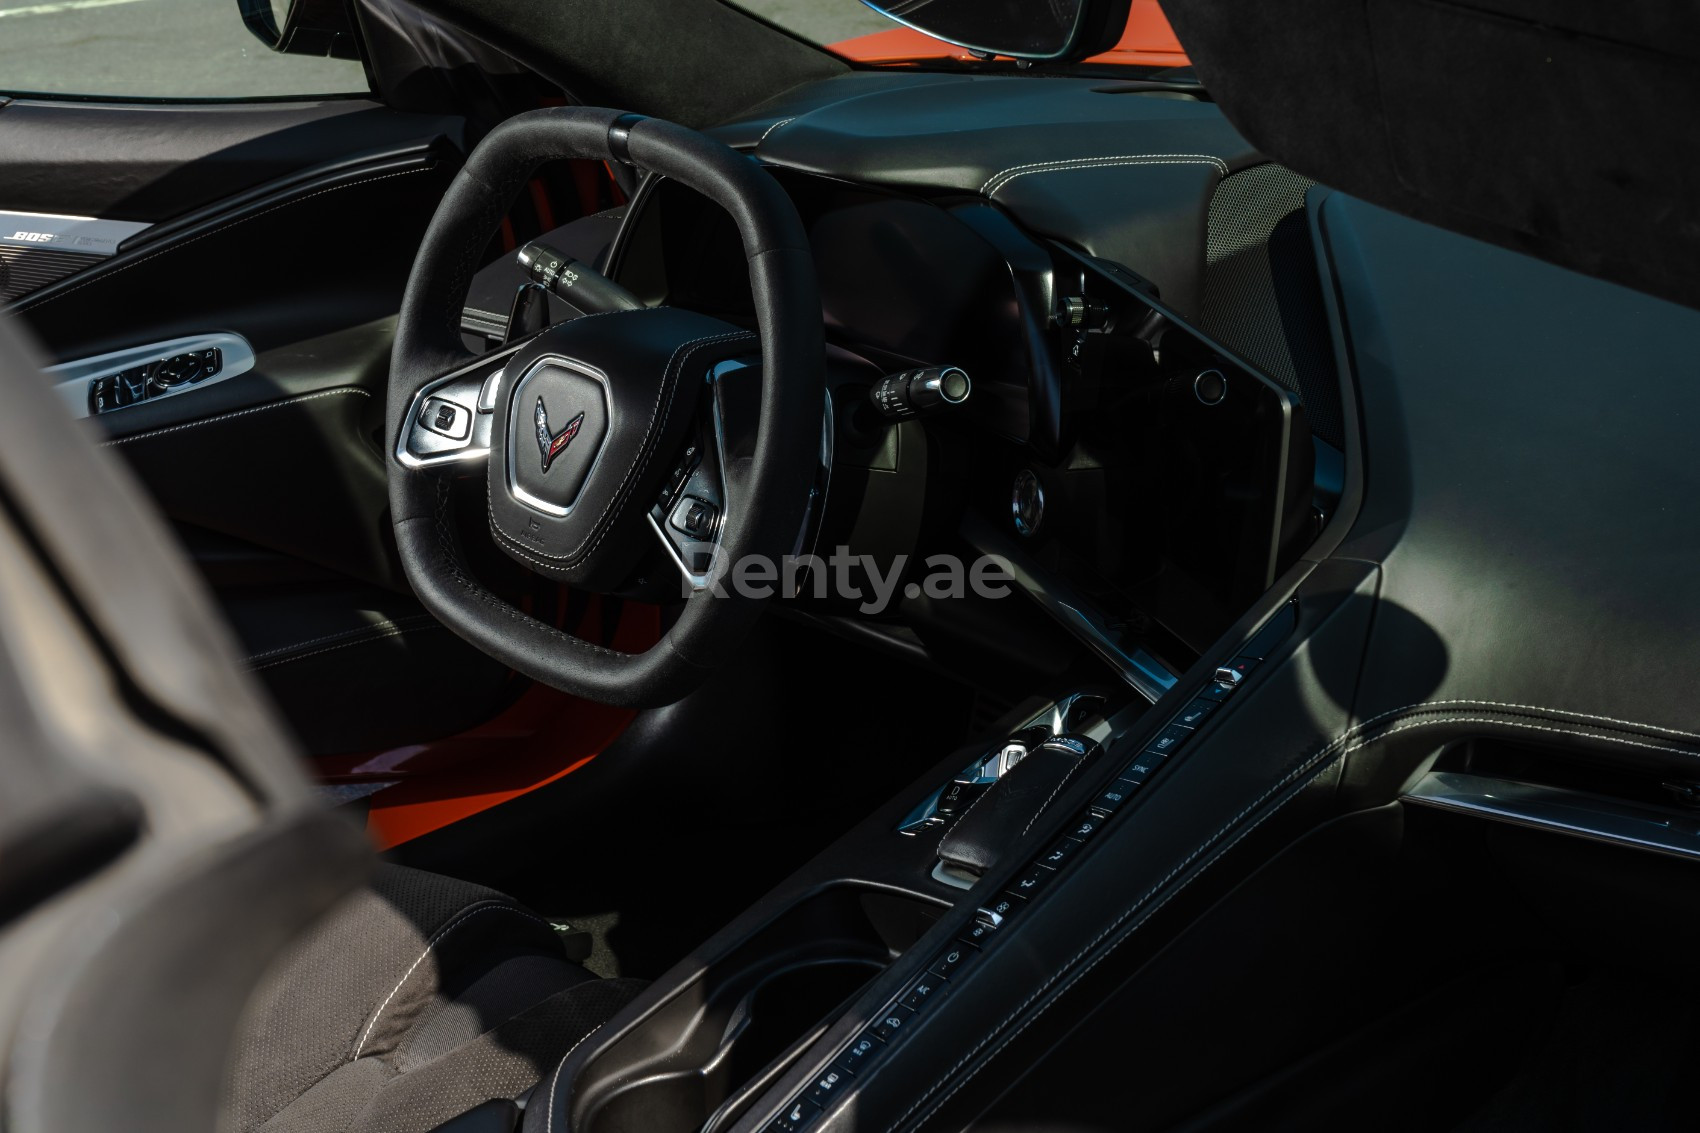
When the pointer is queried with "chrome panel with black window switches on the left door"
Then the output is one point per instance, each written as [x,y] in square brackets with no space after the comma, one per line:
[113,382]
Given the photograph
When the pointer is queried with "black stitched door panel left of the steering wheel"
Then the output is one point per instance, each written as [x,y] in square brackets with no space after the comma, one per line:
[293,229]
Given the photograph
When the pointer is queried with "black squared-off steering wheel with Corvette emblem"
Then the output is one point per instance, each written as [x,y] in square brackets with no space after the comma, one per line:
[608,433]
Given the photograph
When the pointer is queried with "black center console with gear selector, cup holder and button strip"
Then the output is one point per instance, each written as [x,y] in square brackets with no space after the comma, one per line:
[706,1047]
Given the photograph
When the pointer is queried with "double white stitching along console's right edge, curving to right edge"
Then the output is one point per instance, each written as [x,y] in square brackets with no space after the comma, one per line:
[1323,758]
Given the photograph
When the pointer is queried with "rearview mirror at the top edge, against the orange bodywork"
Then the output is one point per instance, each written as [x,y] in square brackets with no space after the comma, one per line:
[1053,31]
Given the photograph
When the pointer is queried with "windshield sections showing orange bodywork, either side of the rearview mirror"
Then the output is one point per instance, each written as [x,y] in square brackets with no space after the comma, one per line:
[858,33]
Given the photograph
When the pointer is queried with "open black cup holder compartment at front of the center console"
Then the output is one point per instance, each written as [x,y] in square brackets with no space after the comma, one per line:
[701,1057]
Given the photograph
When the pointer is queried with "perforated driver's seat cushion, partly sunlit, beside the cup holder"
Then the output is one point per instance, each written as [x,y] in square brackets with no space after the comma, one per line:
[416,1001]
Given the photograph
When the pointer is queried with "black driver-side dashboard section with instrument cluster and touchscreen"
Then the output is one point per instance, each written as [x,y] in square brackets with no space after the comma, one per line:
[1147,482]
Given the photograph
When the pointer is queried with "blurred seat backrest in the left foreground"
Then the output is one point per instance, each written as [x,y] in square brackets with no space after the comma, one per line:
[159,841]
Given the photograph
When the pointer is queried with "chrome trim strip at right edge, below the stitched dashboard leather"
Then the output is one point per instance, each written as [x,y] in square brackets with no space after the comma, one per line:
[1560,811]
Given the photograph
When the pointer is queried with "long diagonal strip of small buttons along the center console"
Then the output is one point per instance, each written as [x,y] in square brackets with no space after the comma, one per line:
[1040,874]
